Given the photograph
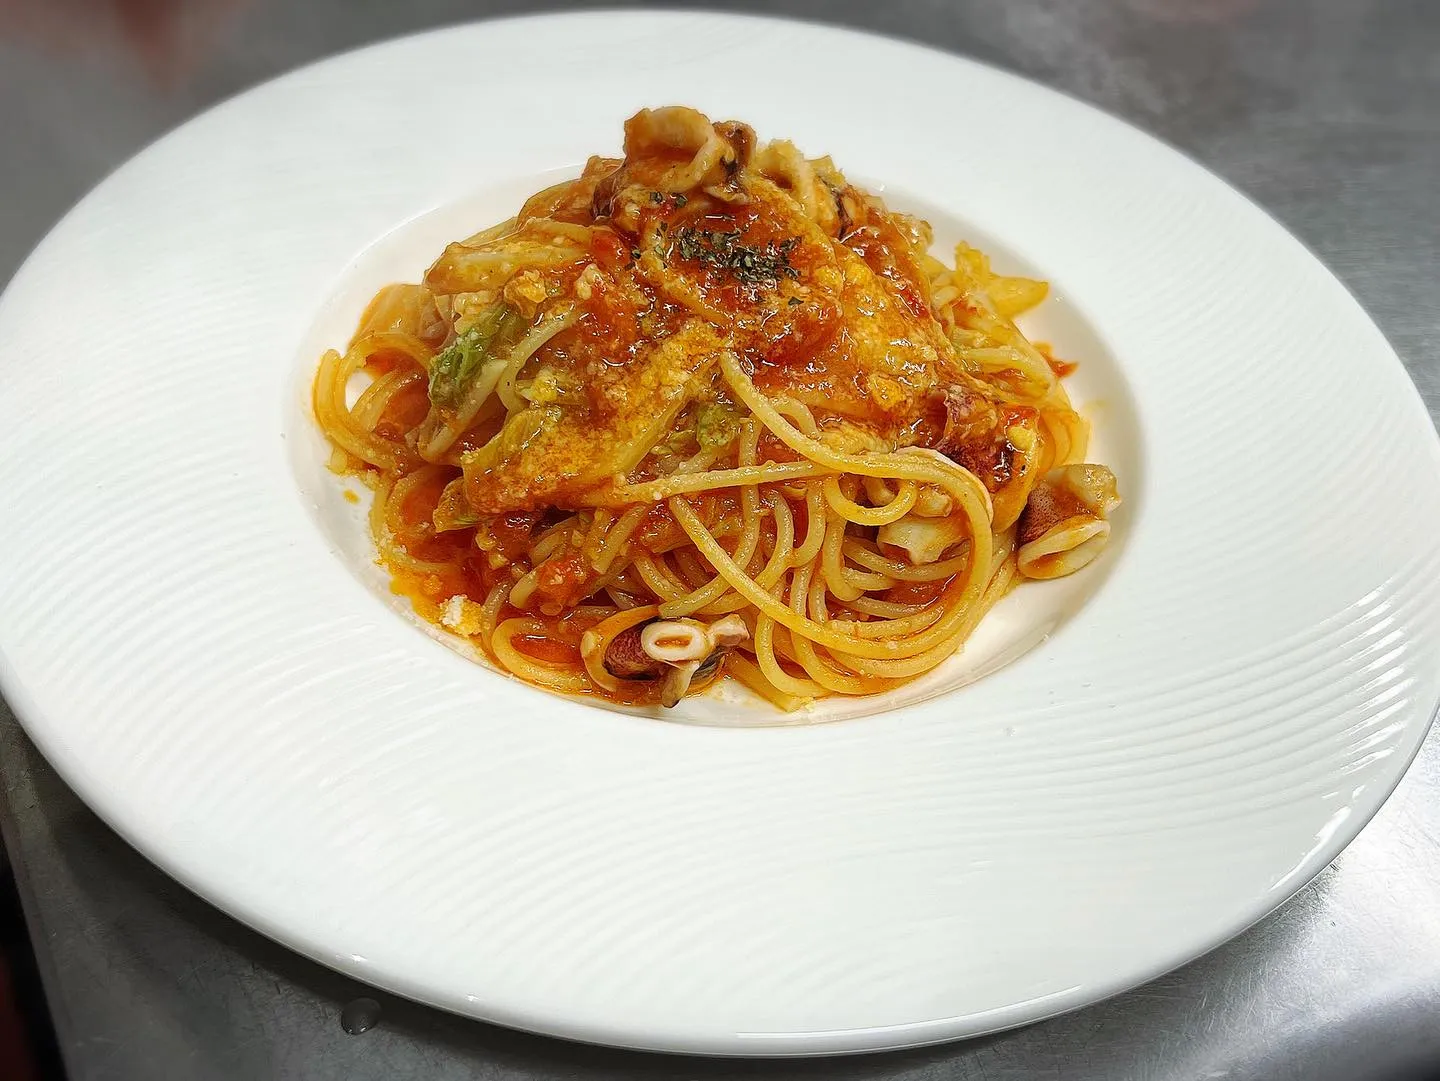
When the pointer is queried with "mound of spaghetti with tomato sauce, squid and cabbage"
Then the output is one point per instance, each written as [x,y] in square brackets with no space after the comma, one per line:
[712,411]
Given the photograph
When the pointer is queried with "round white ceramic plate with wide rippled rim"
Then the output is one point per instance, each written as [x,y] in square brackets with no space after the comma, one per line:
[1124,772]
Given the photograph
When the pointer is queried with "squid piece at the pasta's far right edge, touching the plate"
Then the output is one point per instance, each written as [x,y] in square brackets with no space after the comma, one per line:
[1063,526]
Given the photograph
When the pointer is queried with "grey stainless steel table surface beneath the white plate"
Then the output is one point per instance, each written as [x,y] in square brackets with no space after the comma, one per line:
[1326,112]
